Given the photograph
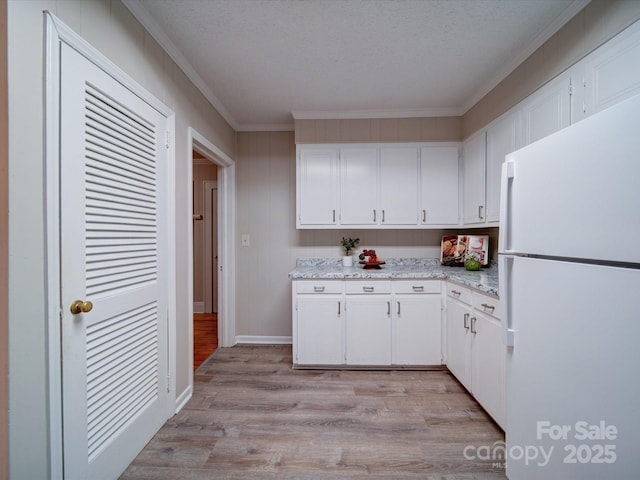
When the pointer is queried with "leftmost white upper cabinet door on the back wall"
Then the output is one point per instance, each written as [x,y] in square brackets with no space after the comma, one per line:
[317,189]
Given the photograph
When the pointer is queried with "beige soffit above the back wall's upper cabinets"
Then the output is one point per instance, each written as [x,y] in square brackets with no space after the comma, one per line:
[427,129]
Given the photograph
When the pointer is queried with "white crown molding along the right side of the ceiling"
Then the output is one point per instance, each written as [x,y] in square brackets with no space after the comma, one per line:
[571,11]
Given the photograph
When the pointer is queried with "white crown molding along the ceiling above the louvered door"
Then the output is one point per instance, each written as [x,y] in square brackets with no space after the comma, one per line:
[156,31]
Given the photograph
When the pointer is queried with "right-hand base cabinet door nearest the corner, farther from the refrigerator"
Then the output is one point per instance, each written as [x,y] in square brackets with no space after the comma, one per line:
[458,341]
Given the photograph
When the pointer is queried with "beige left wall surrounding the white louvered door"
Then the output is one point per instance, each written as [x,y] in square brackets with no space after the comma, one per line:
[112,29]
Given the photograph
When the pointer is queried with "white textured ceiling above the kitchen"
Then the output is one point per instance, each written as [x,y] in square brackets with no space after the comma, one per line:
[260,60]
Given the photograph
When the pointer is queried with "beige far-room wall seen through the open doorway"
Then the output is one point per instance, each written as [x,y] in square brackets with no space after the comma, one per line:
[202,171]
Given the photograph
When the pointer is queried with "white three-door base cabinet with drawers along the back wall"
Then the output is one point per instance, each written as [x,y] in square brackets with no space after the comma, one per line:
[367,323]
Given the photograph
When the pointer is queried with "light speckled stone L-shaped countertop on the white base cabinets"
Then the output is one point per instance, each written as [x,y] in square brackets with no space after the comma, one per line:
[485,280]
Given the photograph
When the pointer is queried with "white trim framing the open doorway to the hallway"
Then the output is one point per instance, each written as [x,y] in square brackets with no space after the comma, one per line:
[226,240]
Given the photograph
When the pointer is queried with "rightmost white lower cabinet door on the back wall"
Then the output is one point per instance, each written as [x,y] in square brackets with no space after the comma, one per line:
[417,330]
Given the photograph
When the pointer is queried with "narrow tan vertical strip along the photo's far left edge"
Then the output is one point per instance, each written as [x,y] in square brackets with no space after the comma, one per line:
[4,341]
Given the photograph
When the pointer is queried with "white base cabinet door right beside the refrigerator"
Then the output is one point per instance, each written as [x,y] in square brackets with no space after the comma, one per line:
[488,365]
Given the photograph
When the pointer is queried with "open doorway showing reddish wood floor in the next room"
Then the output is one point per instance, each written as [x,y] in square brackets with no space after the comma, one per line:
[205,258]
